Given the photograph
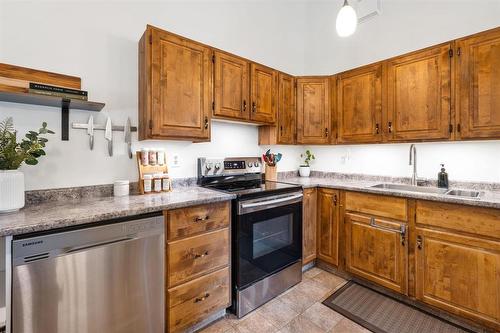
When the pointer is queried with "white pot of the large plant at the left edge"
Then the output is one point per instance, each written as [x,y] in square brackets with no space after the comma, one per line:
[11,190]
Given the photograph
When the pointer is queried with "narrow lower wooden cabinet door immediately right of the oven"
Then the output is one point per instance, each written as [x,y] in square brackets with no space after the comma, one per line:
[309,225]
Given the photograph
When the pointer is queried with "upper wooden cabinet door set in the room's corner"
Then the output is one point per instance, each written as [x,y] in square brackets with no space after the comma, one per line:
[313,111]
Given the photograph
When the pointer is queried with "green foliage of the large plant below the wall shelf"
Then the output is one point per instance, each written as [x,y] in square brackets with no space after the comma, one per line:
[13,153]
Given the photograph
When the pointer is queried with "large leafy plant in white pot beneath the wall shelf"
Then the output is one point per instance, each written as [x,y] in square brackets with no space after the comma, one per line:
[12,155]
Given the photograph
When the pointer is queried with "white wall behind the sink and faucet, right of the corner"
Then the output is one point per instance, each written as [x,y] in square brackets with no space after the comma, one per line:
[403,26]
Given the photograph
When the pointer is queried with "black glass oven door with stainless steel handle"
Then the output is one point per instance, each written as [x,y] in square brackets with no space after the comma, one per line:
[268,236]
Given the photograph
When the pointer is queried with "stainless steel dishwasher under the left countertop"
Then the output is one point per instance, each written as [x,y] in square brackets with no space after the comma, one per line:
[108,278]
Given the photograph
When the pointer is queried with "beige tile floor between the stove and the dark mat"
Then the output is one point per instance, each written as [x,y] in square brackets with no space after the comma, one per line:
[297,310]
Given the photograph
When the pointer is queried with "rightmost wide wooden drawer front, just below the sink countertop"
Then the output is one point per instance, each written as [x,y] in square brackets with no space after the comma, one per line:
[473,220]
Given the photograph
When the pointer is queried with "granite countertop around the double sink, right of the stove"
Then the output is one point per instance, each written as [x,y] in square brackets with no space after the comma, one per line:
[487,198]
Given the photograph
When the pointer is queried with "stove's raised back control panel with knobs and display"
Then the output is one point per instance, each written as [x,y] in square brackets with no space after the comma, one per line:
[209,167]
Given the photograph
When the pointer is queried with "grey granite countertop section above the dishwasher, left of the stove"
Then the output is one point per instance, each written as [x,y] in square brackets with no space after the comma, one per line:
[58,214]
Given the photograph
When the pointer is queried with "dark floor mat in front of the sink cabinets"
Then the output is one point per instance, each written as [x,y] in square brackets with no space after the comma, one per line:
[382,314]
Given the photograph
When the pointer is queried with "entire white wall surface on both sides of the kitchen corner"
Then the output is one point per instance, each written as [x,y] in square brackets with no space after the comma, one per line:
[97,40]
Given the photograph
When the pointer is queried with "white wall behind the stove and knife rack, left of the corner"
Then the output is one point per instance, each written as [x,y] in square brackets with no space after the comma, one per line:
[97,41]
